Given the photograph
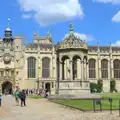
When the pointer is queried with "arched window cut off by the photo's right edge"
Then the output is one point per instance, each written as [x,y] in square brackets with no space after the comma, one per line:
[116,66]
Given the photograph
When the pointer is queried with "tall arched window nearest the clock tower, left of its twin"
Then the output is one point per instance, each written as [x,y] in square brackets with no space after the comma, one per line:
[31,67]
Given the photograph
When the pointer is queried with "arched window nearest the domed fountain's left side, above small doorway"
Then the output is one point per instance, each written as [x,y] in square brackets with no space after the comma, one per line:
[45,67]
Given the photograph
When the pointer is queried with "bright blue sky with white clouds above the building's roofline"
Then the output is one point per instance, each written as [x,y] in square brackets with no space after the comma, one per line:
[96,21]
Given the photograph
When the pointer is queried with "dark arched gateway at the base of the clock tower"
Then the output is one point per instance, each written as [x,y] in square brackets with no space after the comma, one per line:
[7,87]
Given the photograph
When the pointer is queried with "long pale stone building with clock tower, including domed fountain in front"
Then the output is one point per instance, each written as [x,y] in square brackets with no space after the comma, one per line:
[65,68]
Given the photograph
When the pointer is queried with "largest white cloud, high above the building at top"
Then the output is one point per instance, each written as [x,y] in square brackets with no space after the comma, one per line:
[48,12]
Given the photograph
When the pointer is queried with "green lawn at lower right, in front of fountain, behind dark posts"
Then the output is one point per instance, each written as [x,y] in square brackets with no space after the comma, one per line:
[87,105]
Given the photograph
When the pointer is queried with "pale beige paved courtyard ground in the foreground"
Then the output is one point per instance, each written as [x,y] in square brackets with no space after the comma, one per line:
[42,109]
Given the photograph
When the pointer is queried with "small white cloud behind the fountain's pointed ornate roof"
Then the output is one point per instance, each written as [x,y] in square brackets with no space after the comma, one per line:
[83,37]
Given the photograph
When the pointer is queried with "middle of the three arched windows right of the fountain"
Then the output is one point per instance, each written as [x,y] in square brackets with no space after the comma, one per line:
[104,68]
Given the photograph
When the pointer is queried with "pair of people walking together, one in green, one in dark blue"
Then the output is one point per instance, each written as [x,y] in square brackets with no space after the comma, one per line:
[20,95]
